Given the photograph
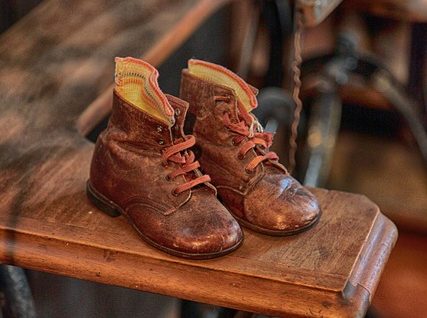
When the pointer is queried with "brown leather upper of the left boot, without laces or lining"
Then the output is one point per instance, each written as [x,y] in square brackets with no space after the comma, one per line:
[128,169]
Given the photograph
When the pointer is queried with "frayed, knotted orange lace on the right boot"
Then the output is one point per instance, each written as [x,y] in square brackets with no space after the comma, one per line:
[251,136]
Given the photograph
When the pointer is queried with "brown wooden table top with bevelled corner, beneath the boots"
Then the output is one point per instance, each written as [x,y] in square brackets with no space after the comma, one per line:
[53,64]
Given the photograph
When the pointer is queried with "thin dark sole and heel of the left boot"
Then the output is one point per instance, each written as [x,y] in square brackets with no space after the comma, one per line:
[113,210]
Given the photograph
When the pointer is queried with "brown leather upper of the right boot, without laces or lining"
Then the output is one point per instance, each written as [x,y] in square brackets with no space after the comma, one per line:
[268,197]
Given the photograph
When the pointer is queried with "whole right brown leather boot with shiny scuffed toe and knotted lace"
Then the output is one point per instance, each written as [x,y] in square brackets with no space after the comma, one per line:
[250,181]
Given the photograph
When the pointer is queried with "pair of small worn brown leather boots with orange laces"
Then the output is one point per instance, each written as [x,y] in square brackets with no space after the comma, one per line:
[143,167]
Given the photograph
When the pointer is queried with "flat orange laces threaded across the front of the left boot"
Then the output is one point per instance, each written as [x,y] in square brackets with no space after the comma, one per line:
[179,153]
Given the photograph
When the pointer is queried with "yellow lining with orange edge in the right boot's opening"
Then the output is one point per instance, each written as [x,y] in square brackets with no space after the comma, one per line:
[217,74]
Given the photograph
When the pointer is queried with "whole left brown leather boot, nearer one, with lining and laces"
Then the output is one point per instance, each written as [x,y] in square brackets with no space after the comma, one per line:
[142,168]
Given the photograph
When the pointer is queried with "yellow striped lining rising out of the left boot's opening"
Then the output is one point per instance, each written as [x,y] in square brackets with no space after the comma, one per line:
[136,82]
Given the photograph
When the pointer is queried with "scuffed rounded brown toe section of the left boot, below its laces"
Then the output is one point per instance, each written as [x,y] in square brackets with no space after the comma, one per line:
[200,229]
